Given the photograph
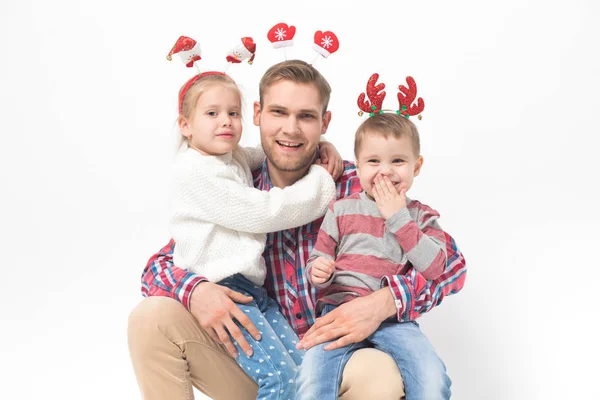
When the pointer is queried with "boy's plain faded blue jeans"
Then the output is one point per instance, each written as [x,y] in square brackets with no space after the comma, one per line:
[423,372]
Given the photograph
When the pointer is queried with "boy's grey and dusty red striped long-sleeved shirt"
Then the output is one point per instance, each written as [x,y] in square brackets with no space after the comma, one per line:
[366,248]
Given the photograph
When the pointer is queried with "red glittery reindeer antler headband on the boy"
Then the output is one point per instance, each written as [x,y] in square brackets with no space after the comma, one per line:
[376,95]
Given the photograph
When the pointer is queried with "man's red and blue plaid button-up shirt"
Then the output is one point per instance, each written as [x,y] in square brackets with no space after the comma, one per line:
[286,254]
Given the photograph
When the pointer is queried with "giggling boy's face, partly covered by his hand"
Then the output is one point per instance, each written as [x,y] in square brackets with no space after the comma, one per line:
[389,157]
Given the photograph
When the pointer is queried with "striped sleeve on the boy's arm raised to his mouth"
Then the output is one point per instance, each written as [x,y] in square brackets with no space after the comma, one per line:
[424,242]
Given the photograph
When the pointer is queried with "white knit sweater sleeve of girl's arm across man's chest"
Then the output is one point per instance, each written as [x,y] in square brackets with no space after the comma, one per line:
[220,198]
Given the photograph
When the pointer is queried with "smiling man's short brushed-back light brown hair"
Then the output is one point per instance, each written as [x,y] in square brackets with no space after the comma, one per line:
[297,71]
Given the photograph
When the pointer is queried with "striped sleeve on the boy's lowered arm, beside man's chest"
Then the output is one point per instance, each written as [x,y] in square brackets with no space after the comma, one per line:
[326,246]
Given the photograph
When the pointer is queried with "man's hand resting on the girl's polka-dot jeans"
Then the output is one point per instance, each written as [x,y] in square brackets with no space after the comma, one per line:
[214,308]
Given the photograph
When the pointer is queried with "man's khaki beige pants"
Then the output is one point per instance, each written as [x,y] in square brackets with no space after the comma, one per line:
[171,352]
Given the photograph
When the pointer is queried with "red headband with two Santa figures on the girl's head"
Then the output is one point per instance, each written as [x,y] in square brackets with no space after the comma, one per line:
[190,53]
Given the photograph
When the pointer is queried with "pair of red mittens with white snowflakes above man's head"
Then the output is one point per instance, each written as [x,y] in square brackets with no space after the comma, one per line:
[281,36]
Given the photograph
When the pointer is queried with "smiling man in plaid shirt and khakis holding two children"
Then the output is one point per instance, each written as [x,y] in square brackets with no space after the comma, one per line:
[176,335]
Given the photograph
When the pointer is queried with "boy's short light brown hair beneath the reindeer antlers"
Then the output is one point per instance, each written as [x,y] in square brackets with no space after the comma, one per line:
[386,125]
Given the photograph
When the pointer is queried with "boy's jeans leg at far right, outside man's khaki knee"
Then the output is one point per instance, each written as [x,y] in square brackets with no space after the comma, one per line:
[423,371]
